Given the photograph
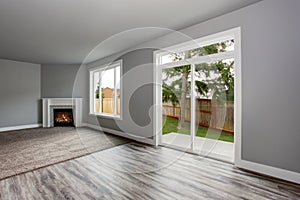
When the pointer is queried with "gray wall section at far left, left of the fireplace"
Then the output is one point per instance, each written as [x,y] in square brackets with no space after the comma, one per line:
[20,90]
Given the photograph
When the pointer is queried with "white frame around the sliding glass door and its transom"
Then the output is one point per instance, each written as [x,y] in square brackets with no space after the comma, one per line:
[235,34]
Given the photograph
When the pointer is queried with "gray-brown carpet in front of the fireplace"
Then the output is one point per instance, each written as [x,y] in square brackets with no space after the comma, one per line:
[26,150]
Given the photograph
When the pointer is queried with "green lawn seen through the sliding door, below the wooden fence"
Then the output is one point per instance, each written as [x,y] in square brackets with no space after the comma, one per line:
[170,125]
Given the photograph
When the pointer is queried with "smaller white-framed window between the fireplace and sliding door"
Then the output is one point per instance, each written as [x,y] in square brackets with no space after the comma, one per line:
[105,90]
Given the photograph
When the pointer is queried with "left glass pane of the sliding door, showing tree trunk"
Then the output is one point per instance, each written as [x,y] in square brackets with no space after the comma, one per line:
[176,98]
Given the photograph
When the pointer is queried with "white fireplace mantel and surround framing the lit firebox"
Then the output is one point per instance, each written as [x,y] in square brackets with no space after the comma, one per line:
[53,103]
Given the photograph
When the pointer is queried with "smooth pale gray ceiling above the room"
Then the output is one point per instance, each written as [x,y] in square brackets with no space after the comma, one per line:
[65,31]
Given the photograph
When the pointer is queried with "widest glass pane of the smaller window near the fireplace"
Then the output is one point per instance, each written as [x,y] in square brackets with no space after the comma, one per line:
[107,88]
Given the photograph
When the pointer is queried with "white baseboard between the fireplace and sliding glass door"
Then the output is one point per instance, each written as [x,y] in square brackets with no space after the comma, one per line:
[120,133]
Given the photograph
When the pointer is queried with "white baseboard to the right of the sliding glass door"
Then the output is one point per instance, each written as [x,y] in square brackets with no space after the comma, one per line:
[269,170]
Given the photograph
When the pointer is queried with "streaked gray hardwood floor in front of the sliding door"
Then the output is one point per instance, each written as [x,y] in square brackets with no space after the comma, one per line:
[134,171]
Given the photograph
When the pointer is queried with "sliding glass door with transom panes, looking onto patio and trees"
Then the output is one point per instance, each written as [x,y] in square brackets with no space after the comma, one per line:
[196,94]
